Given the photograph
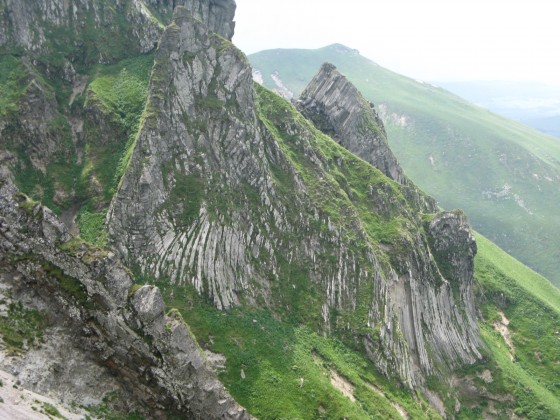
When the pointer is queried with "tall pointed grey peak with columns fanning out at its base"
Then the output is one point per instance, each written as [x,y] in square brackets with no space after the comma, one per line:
[201,128]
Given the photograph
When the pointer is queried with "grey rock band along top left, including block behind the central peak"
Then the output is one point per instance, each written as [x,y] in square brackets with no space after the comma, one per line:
[19,28]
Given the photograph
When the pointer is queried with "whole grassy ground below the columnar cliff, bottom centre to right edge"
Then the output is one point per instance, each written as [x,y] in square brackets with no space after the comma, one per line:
[279,369]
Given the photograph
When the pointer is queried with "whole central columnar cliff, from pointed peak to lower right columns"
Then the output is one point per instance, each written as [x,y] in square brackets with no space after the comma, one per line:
[221,184]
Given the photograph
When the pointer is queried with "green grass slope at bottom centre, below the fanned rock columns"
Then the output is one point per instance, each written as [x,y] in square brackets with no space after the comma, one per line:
[283,370]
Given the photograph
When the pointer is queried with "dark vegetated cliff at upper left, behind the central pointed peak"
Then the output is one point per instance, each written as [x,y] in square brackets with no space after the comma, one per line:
[64,103]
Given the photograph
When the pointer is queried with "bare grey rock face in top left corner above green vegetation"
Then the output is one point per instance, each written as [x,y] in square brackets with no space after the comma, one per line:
[67,29]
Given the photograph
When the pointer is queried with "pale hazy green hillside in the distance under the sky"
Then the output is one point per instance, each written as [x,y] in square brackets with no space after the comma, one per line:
[503,174]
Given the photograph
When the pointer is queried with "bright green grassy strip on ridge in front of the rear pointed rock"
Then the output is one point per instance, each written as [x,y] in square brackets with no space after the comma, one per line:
[348,185]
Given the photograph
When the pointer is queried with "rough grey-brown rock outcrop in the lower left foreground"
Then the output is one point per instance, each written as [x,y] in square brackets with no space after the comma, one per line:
[127,344]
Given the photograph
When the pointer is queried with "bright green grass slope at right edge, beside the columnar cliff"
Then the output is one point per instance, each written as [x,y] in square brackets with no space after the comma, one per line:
[530,368]
